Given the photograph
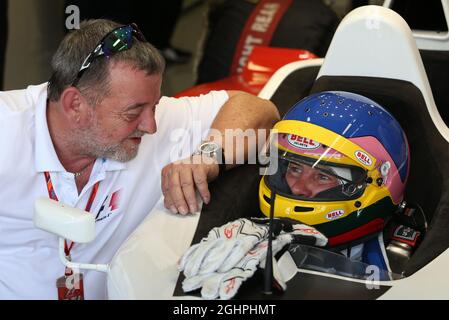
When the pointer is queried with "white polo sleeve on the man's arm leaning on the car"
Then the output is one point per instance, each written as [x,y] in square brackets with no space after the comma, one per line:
[185,122]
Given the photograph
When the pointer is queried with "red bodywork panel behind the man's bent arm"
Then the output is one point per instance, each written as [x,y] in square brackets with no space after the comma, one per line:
[262,64]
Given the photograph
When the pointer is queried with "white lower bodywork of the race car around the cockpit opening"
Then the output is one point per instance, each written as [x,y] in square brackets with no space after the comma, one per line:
[145,268]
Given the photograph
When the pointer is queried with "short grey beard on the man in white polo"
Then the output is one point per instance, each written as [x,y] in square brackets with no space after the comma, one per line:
[122,151]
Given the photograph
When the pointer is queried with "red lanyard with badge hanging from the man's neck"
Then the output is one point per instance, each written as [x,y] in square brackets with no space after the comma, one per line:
[70,286]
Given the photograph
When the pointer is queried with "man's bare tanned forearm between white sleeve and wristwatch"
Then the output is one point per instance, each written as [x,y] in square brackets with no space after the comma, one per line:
[243,124]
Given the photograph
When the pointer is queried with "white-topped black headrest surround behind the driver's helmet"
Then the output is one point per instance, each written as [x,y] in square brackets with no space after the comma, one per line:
[373,54]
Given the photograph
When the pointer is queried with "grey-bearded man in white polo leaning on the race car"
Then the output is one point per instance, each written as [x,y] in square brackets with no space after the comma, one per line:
[97,137]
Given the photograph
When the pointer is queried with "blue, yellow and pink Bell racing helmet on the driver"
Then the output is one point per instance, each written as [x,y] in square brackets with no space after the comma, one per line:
[342,165]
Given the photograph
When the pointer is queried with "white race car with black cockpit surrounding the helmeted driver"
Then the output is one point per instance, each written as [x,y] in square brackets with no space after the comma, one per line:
[373,53]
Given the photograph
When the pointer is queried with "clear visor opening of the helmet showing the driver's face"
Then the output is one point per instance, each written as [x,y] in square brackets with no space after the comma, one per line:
[320,174]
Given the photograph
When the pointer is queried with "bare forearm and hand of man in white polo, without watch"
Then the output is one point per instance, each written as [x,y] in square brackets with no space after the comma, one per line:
[240,128]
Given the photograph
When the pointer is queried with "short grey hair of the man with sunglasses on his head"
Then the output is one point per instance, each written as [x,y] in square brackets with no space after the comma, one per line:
[94,83]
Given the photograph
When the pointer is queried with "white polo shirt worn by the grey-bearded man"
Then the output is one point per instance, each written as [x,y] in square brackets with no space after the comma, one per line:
[29,262]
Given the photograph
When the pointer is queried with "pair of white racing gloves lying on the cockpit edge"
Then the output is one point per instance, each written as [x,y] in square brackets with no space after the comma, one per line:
[230,254]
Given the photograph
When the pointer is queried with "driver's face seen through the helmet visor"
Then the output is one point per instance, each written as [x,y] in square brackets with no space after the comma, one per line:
[306,181]
